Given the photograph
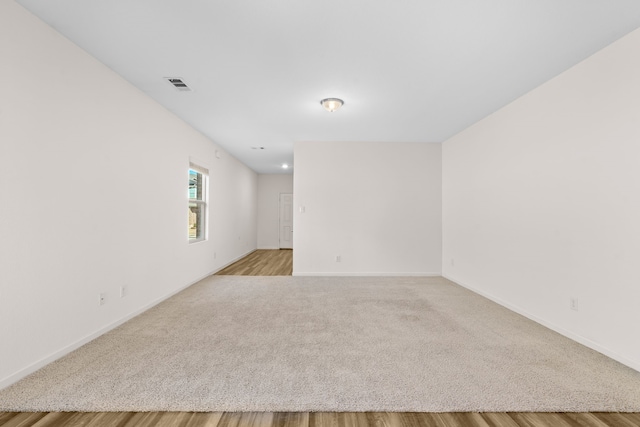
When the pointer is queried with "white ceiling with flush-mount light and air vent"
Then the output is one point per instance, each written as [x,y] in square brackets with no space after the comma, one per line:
[408,71]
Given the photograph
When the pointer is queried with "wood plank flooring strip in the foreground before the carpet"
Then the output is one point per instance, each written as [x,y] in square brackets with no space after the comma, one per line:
[316,419]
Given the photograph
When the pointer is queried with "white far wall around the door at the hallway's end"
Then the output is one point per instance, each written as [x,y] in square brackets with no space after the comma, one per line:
[269,189]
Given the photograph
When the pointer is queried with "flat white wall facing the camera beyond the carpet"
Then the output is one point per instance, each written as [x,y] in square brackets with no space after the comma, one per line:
[377,205]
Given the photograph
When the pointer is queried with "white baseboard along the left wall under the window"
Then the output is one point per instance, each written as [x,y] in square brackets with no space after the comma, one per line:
[13,378]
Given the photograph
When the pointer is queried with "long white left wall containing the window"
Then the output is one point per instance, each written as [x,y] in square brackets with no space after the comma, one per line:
[93,187]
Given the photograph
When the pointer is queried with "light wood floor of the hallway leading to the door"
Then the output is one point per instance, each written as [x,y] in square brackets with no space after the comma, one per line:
[263,262]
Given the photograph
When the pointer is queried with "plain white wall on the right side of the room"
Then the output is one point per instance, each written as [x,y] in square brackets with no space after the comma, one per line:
[541,203]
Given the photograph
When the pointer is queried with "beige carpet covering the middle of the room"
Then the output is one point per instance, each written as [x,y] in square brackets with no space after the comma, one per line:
[234,343]
